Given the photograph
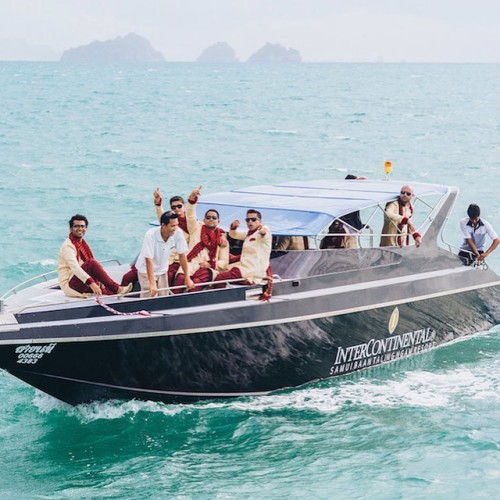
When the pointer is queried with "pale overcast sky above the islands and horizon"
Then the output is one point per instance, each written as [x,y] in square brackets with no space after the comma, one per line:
[322,30]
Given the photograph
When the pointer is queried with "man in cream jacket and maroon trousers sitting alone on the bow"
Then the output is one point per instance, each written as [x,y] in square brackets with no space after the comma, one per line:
[78,272]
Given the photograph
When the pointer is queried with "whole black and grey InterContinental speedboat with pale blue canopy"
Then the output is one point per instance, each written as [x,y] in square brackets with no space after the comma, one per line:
[331,312]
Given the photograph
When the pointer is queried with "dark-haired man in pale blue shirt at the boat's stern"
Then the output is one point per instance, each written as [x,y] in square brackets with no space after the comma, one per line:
[474,230]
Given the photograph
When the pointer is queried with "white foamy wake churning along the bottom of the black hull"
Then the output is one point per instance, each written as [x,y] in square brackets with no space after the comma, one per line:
[454,387]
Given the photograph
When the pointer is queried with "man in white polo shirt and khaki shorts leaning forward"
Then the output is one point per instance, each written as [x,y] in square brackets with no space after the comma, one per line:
[153,261]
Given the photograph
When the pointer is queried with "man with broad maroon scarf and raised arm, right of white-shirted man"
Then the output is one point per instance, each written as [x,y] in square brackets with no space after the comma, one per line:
[209,248]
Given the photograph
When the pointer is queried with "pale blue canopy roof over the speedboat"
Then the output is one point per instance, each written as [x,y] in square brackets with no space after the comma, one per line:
[306,208]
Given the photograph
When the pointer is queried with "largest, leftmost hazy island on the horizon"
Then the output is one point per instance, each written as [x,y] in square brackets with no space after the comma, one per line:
[130,48]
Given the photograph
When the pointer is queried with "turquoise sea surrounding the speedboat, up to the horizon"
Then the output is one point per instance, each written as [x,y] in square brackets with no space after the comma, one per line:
[99,139]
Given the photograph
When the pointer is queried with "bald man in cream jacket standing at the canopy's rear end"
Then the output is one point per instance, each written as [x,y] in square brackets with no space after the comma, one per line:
[397,224]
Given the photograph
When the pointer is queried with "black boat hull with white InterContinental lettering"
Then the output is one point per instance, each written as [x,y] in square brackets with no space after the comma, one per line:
[220,362]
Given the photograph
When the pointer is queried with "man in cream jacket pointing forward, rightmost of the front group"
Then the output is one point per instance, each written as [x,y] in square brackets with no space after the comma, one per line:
[255,253]
